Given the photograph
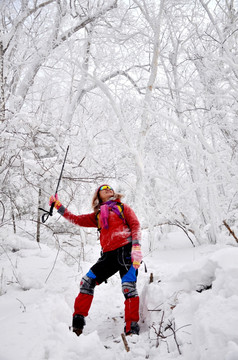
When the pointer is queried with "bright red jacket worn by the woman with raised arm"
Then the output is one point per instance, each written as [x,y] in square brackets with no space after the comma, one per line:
[118,234]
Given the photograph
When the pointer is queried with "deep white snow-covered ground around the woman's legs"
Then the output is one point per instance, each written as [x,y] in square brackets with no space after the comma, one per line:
[189,311]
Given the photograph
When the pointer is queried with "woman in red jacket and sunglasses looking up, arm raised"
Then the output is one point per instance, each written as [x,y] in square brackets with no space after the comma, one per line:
[120,241]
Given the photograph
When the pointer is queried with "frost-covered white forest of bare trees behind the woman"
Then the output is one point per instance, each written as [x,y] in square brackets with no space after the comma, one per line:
[145,94]
